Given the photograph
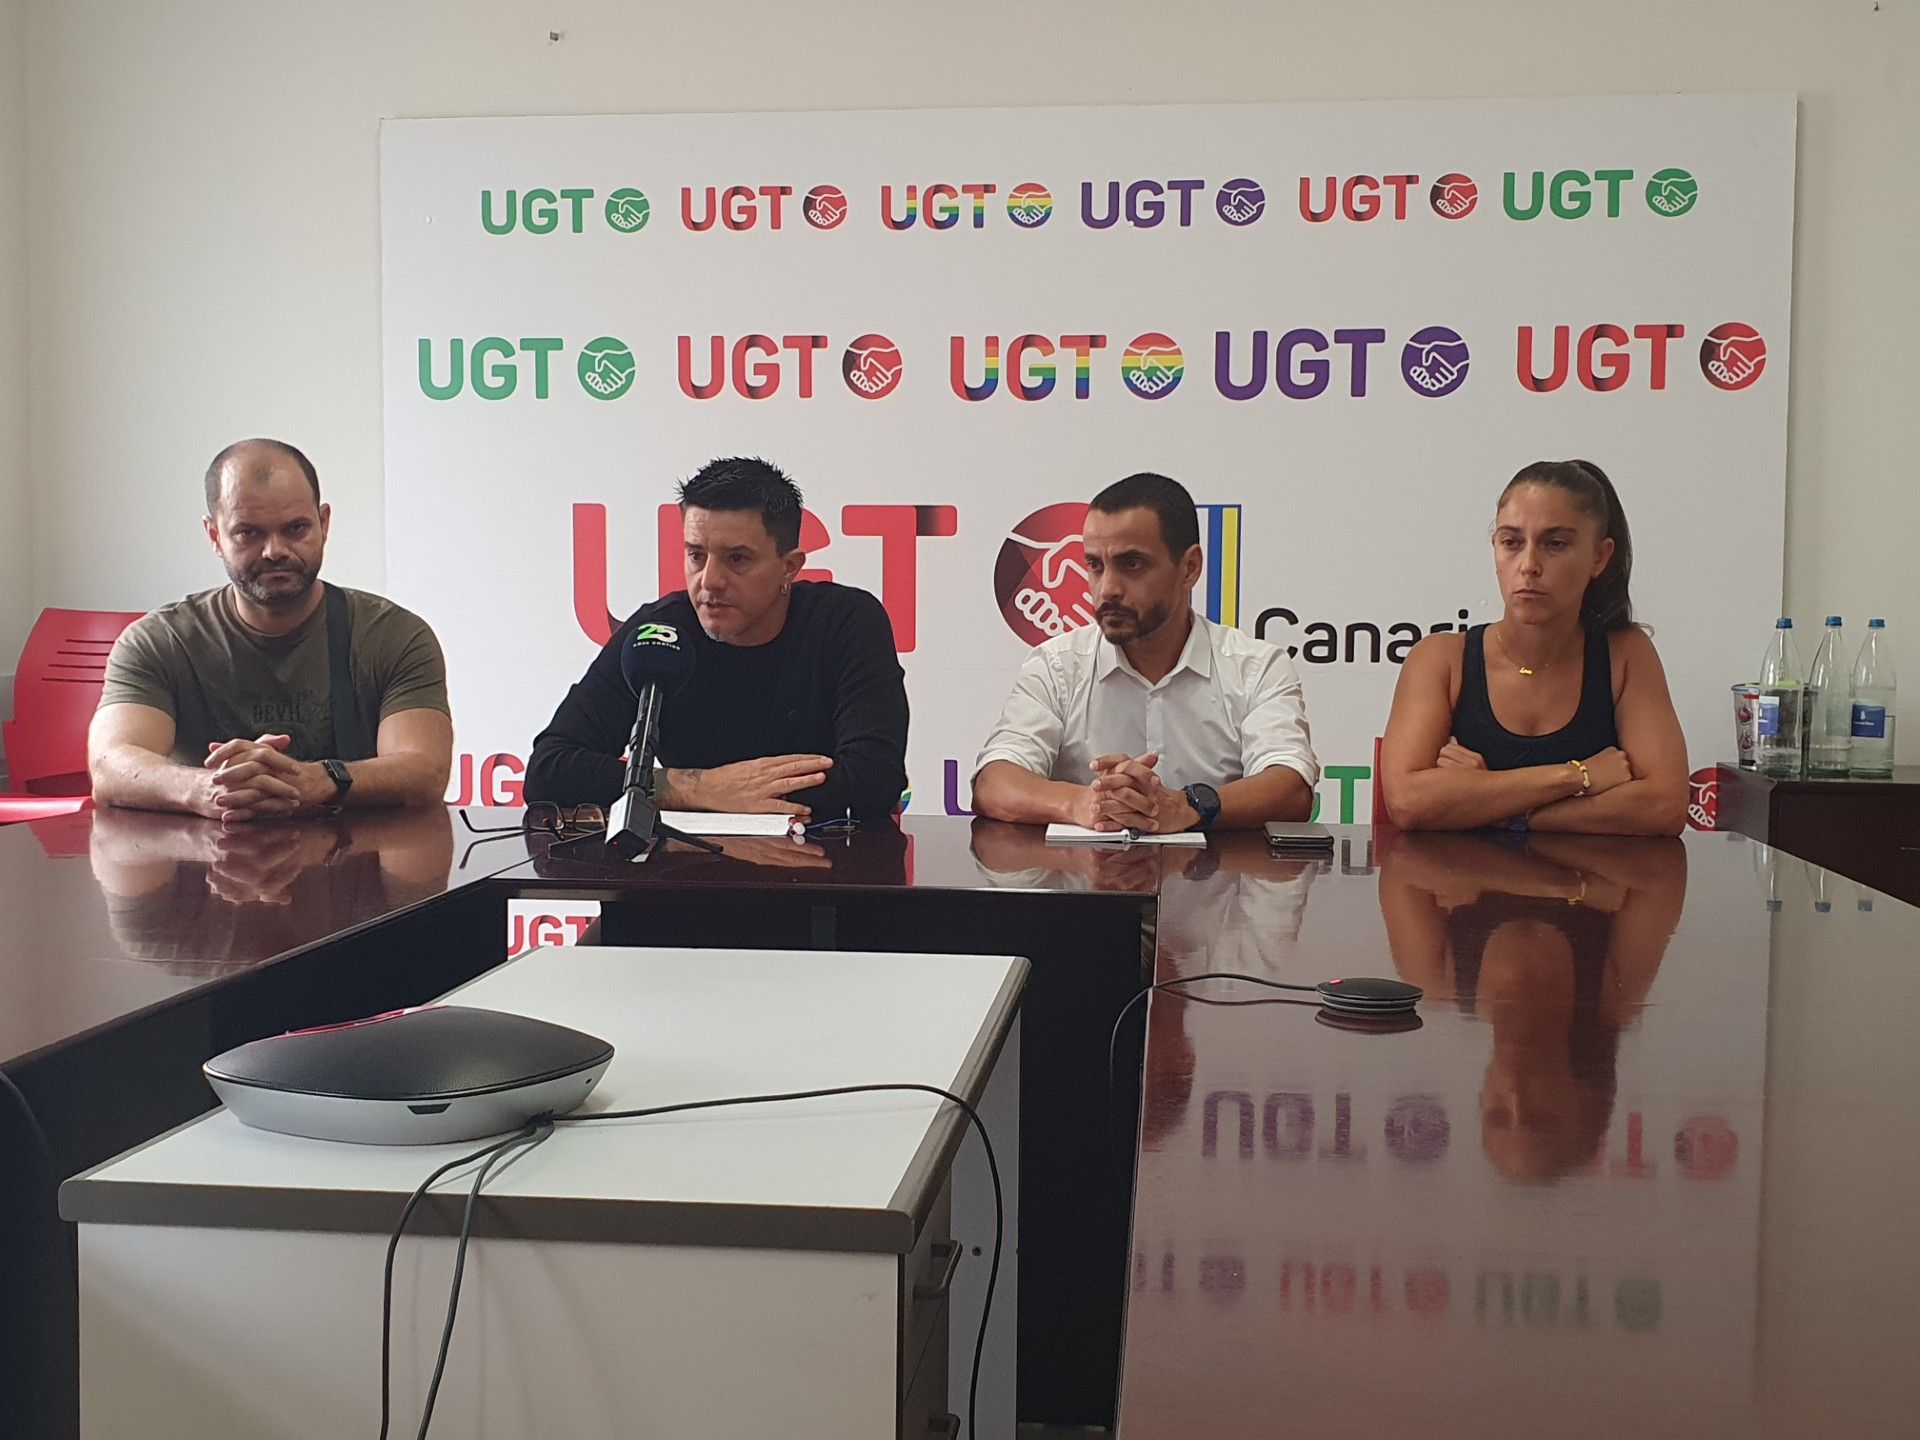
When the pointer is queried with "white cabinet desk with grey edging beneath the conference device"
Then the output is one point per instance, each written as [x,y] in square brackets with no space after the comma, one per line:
[746,1272]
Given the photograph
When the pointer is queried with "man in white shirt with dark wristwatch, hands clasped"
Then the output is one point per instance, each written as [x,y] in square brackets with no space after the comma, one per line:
[1151,719]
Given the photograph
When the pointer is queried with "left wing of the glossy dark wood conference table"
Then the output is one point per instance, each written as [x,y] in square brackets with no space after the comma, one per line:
[137,946]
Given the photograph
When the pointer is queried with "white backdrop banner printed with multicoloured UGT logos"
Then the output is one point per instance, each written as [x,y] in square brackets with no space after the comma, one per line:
[1341,325]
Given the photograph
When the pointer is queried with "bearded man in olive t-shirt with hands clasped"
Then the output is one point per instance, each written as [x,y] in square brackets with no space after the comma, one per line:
[226,704]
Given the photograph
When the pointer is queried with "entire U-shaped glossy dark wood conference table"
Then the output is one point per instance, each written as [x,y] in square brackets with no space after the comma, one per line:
[1648,1166]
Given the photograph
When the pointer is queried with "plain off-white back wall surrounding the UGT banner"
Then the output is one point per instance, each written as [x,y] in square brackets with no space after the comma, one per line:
[204,210]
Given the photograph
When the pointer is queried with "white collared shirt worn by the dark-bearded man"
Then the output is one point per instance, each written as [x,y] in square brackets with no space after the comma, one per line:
[1230,708]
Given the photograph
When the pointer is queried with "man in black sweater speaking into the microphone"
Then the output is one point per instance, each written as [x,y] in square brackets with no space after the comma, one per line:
[798,704]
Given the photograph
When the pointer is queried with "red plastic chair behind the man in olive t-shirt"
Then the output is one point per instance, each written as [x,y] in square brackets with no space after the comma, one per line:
[57,690]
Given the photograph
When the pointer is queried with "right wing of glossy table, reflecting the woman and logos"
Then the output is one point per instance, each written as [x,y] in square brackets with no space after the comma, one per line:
[1646,1168]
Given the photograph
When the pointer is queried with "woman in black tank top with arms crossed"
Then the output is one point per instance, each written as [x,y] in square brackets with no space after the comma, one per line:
[1556,717]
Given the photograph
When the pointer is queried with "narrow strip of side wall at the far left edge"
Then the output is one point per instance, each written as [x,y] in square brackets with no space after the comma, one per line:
[16,489]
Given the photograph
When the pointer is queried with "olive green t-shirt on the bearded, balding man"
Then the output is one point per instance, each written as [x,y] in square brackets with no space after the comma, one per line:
[222,681]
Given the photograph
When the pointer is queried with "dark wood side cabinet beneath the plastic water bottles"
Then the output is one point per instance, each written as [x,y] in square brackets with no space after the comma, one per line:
[1867,830]
